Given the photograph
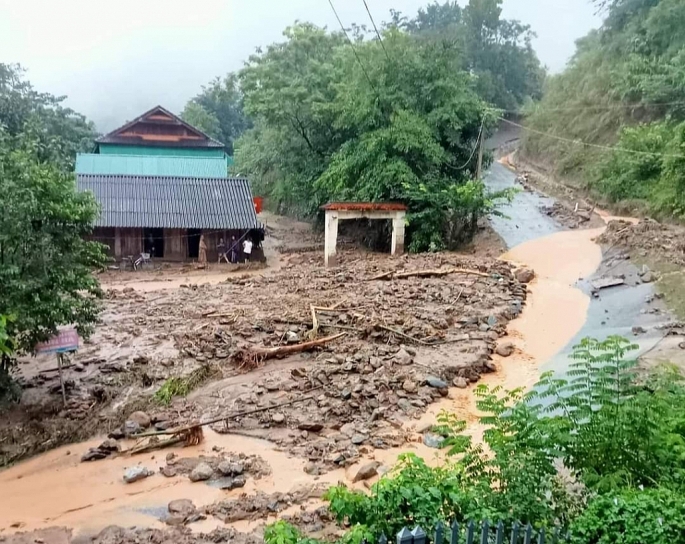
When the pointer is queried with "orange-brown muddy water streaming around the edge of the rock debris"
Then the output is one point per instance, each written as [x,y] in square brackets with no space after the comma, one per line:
[56,489]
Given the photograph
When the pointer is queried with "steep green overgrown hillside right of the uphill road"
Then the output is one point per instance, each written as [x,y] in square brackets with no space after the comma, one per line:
[624,89]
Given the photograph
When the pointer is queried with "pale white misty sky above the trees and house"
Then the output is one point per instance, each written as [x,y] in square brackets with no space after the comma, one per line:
[116,59]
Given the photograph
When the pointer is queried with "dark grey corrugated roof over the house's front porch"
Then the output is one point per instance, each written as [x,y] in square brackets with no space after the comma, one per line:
[171,202]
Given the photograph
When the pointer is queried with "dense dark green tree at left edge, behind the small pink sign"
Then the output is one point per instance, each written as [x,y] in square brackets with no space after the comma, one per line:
[46,265]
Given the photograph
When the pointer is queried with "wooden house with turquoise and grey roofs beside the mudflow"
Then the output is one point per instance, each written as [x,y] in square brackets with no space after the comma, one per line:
[161,183]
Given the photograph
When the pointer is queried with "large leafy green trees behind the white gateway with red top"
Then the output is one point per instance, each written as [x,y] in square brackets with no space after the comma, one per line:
[394,121]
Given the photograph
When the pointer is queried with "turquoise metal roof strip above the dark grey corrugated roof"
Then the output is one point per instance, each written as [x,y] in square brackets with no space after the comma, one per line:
[141,165]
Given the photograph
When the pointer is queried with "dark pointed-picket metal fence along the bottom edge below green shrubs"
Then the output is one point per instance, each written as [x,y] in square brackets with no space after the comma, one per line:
[481,533]
